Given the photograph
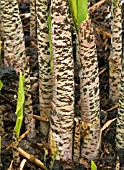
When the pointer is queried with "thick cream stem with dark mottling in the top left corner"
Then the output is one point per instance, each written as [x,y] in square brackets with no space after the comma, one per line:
[14,45]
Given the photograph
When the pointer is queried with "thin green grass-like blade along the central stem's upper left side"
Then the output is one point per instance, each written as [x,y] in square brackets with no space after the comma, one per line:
[50,39]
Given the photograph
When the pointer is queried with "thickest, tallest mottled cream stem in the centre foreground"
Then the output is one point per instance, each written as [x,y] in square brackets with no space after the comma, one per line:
[61,129]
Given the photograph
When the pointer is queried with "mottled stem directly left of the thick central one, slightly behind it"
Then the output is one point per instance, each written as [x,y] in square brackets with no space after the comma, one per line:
[45,74]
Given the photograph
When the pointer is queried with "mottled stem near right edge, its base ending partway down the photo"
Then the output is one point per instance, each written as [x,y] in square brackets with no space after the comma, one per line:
[115,59]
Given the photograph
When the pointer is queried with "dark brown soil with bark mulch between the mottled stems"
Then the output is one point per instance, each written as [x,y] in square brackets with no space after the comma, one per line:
[8,98]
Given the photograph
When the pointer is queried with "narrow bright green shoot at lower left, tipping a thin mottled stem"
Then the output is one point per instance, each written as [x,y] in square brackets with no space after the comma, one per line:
[20,105]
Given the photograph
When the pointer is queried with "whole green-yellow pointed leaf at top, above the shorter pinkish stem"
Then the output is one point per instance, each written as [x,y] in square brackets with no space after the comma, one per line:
[79,10]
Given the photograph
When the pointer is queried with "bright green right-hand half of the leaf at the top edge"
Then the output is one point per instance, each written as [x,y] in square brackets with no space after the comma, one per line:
[82,7]
